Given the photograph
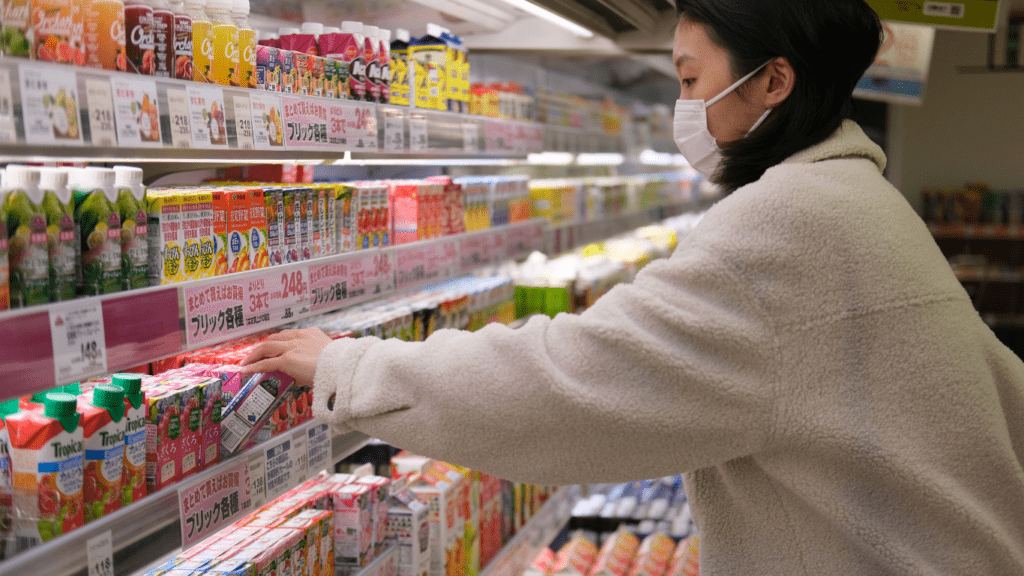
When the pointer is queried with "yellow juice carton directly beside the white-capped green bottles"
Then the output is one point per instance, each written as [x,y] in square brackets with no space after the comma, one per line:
[166,236]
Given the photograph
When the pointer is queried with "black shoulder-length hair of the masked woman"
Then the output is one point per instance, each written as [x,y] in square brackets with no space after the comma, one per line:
[829,44]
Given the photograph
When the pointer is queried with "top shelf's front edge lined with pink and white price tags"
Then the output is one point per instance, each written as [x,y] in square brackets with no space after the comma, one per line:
[215,125]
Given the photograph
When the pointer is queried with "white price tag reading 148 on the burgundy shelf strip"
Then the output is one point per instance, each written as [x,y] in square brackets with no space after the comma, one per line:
[79,345]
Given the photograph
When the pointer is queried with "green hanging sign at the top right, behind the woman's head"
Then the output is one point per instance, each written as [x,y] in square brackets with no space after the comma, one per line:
[979,16]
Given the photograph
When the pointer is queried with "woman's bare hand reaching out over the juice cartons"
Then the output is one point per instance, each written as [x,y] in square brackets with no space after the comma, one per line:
[291,352]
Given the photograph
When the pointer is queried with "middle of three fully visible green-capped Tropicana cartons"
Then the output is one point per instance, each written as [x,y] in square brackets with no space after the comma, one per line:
[104,433]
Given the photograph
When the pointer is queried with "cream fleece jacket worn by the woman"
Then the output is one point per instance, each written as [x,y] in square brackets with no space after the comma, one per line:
[806,357]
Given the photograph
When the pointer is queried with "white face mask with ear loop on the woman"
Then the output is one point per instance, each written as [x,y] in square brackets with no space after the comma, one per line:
[691,131]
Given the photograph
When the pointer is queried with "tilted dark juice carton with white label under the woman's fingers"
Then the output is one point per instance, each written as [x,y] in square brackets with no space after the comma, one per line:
[252,407]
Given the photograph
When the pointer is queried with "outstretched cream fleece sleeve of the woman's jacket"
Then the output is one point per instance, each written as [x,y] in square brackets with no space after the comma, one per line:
[671,374]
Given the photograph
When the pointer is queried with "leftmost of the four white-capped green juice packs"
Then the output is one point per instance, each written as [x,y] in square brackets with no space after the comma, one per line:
[28,244]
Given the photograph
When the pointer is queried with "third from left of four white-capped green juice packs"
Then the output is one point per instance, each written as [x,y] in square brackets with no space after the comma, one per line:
[98,225]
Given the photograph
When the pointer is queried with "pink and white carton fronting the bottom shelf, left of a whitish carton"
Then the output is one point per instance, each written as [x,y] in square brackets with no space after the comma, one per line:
[353,528]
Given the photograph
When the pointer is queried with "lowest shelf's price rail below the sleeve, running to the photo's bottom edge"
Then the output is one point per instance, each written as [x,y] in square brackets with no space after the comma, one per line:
[536,536]
